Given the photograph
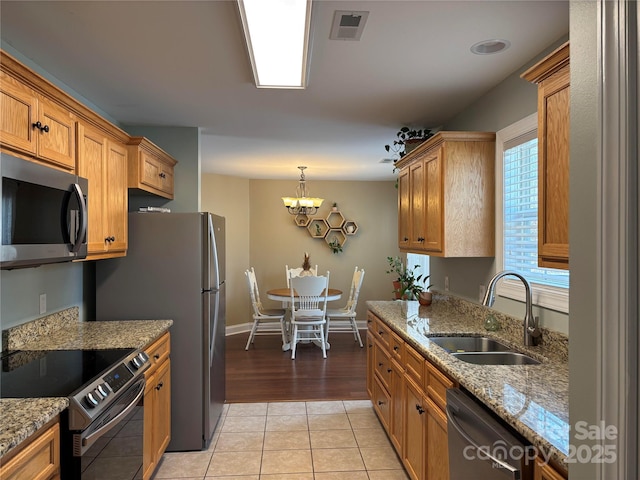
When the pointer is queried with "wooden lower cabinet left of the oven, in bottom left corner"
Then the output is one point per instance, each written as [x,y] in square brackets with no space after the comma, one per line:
[39,459]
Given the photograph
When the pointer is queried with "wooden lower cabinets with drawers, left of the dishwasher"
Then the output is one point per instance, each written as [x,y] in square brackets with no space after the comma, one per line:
[409,397]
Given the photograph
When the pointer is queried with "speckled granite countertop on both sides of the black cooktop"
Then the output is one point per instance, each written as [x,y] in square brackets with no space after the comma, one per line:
[20,418]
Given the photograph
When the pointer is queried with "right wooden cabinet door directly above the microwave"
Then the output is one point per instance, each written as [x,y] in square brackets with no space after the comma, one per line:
[58,143]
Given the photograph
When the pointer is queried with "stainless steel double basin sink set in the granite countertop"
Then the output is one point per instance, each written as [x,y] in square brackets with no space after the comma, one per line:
[482,351]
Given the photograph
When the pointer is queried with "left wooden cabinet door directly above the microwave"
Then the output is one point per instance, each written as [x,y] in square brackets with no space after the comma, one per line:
[18,112]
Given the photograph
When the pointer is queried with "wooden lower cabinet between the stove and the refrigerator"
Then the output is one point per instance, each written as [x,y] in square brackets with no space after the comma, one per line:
[157,405]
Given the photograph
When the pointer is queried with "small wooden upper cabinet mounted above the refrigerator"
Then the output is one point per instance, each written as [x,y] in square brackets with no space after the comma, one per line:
[150,168]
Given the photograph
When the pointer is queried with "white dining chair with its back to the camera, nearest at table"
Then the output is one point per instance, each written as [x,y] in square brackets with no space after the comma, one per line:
[308,311]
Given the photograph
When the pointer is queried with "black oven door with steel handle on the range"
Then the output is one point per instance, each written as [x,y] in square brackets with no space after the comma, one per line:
[112,445]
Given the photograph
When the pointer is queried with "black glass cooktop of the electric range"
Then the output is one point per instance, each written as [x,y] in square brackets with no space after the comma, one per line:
[53,373]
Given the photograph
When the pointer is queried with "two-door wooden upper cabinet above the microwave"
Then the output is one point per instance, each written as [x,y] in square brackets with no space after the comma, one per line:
[34,126]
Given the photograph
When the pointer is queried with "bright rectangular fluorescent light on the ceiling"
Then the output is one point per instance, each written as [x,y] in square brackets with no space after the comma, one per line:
[277,35]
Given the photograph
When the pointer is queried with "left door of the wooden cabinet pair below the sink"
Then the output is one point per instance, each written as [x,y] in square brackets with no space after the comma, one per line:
[414,426]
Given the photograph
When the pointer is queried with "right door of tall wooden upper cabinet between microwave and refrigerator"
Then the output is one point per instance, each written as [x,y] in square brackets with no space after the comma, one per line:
[116,197]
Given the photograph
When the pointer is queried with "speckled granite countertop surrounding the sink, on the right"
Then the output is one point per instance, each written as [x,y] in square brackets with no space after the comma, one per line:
[533,399]
